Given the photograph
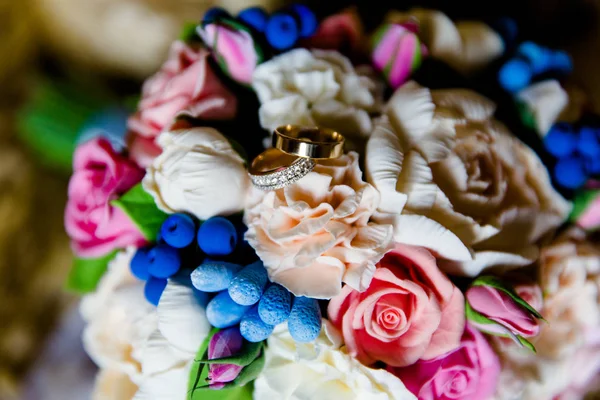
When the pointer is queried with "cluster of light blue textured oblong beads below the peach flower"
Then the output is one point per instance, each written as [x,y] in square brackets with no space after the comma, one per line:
[245,296]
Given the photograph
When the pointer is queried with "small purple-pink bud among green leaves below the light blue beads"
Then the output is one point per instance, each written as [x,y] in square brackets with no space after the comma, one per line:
[224,343]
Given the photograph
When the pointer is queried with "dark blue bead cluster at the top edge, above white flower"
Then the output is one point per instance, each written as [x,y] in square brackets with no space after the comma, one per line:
[281,30]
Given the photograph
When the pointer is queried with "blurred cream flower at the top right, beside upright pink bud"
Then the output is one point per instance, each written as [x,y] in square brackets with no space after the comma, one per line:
[467,46]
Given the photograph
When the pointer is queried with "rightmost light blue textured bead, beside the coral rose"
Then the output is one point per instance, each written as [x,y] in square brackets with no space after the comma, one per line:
[305,320]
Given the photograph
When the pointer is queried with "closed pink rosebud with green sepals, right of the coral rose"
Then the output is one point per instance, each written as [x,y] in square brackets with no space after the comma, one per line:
[497,309]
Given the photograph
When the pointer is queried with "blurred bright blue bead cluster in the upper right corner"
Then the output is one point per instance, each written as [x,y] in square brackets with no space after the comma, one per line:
[530,61]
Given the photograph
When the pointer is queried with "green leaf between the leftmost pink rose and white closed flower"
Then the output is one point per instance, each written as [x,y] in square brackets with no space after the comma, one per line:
[141,208]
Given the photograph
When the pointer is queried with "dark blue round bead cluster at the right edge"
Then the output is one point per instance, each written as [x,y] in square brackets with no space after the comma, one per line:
[577,152]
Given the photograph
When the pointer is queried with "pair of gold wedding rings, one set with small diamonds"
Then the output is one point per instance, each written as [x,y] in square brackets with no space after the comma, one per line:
[294,154]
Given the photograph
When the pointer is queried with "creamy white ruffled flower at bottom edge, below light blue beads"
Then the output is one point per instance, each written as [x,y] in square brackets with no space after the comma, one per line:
[321,370]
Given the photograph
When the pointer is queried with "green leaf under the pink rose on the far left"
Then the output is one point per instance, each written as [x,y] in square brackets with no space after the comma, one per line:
[86,273]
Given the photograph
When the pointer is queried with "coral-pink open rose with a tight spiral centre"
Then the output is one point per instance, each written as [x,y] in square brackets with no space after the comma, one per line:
[410,311]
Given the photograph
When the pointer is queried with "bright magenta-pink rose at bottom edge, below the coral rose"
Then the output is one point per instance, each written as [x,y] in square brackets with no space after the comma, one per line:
[469,372]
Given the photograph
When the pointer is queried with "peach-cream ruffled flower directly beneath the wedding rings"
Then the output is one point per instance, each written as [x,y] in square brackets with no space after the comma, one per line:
[316,233]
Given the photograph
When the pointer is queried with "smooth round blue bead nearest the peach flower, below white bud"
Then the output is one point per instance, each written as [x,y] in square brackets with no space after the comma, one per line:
[217,237]
